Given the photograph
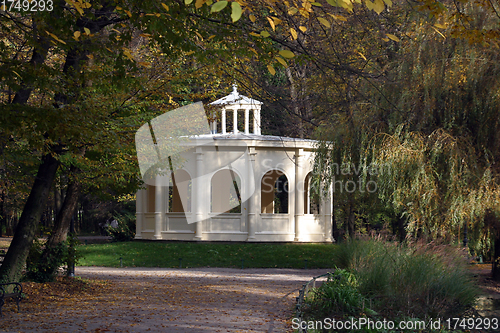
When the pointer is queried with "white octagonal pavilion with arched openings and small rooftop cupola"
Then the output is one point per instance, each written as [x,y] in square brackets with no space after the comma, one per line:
[235,184]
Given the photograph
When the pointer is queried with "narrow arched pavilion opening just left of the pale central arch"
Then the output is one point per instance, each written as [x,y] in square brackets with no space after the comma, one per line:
[179,192]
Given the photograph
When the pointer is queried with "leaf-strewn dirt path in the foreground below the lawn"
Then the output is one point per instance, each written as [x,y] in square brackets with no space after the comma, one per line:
[168,300]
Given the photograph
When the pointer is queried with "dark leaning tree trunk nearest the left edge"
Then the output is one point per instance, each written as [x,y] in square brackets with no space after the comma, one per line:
[15,258]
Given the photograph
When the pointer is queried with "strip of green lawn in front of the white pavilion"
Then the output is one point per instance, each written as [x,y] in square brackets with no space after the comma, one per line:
[160,254]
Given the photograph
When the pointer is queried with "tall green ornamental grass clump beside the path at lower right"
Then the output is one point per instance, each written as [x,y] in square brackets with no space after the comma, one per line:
[416,280]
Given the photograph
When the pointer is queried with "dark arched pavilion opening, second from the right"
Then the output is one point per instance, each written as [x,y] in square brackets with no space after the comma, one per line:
[274,193]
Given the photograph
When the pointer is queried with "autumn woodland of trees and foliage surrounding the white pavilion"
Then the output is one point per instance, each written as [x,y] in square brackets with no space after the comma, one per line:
[408,88]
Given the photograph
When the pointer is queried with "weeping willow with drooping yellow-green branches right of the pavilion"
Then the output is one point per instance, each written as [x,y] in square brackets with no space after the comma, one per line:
[439,142]
